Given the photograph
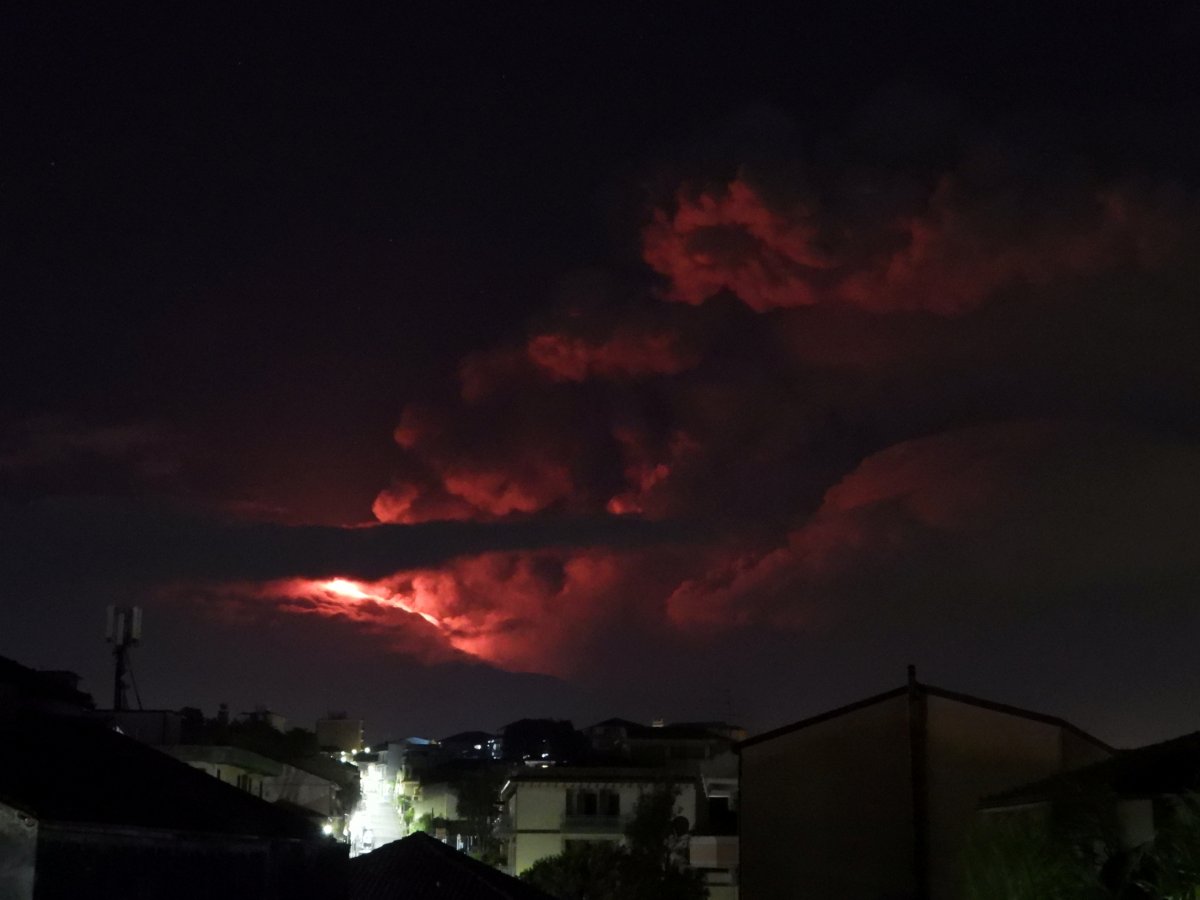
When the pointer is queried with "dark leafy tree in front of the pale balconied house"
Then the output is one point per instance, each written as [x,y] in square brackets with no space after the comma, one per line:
[649,867]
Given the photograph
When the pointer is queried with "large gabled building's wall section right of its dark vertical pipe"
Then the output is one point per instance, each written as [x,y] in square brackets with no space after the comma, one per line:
[974,752]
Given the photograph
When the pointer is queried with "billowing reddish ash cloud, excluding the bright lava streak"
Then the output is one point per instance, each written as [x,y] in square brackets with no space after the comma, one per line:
[943,387]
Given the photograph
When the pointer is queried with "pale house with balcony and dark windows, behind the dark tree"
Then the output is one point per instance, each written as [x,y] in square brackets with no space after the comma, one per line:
[547,809]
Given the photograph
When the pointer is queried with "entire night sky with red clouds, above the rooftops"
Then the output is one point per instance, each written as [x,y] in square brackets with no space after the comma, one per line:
[453,367]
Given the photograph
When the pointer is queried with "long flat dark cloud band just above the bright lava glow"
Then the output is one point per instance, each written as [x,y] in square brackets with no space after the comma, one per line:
[134,543]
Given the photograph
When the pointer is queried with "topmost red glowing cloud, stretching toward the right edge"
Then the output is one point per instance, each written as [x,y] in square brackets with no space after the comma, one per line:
[946,257]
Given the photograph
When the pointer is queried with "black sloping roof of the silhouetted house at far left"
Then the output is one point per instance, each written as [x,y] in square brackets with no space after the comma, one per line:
[76,771]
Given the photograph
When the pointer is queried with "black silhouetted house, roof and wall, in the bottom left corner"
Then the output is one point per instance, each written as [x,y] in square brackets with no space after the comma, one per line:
[87,812]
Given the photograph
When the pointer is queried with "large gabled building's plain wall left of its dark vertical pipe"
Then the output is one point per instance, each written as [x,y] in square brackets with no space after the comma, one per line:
[826,811]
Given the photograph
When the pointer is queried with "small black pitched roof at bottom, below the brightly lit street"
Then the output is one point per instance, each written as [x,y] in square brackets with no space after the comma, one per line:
[421,867]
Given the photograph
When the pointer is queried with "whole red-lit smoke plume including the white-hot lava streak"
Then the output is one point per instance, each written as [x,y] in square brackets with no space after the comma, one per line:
[833,440]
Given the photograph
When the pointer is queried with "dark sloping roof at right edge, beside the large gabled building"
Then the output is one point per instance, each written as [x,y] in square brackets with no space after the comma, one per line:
[1172,767]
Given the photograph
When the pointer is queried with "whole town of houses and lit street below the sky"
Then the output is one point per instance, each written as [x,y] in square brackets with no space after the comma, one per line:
[916,793]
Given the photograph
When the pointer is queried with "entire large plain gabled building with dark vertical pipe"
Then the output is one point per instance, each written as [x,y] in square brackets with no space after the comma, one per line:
[873,801]
